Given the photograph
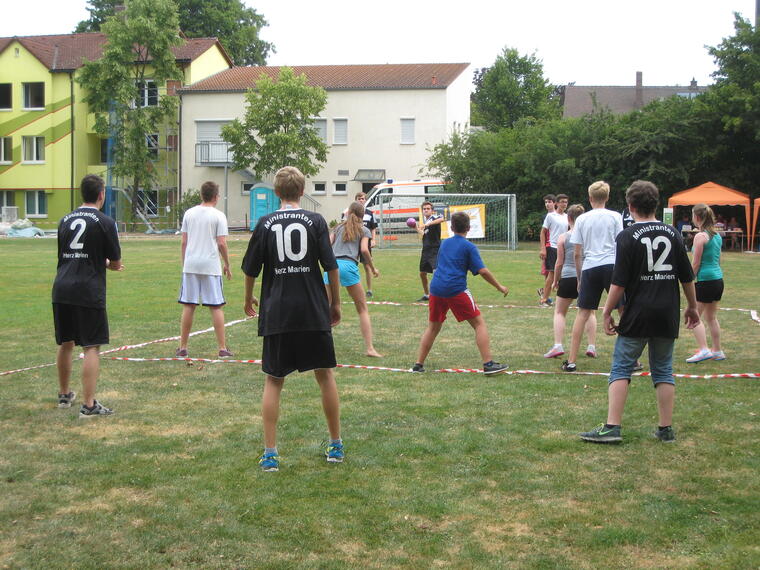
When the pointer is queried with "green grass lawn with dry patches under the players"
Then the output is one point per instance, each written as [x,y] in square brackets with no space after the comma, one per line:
[453,470]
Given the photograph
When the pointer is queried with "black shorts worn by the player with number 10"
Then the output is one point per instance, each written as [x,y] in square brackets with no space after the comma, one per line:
[287,352]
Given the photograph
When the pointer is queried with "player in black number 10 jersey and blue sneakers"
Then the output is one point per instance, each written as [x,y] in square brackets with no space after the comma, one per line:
[295,318]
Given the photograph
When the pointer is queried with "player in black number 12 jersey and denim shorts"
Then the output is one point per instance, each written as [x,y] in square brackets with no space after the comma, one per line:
[650,261]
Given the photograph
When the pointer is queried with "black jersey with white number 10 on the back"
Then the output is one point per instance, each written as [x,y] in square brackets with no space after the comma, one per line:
[288,246]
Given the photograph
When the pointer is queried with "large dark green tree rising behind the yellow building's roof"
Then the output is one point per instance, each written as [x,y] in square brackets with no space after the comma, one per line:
[236,26]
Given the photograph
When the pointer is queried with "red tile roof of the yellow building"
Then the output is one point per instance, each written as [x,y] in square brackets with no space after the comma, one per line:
[66,52]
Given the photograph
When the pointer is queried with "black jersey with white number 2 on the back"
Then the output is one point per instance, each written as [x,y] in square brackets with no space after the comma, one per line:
[86,238]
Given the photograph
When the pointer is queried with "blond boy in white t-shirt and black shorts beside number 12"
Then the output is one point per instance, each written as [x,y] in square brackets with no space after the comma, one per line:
[594,240]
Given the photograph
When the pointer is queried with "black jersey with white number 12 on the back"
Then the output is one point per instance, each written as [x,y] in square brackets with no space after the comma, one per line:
[650,261]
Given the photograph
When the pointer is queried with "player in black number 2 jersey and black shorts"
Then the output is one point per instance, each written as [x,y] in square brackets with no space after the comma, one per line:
[88,244]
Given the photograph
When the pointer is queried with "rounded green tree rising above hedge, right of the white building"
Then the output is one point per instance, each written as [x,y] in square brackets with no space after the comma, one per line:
[513,88]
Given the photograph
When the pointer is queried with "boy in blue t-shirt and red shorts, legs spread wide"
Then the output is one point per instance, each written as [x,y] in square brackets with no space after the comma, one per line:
[448,290]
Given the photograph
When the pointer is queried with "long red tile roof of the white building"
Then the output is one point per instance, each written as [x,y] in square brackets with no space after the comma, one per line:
[337,77]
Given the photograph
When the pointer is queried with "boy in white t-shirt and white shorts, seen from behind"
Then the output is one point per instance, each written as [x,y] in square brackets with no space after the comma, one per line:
[204,241]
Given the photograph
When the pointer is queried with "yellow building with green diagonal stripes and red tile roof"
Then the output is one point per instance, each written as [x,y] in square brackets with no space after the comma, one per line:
[47,137]
